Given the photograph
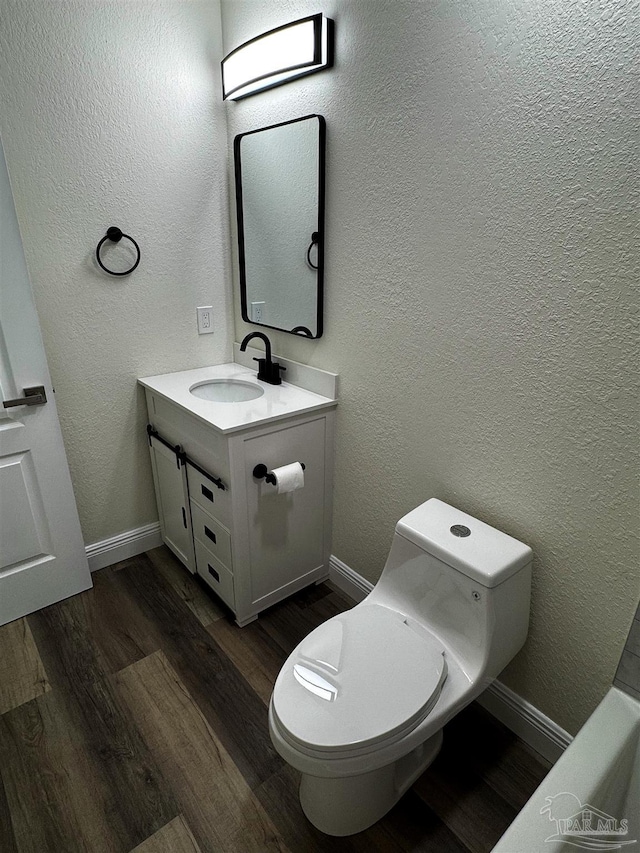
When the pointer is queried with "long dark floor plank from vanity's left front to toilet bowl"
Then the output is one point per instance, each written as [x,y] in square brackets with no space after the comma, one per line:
[231,707]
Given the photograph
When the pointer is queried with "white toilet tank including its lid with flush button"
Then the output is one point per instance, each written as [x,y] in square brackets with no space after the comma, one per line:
[464,581]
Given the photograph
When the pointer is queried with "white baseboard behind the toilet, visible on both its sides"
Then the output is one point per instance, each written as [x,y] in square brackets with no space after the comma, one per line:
[525,720]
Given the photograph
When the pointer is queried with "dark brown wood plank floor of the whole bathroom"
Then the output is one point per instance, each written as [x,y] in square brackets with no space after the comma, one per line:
[134,717]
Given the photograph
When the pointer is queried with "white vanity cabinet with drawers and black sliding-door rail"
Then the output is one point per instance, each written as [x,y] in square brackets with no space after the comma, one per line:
[251,545]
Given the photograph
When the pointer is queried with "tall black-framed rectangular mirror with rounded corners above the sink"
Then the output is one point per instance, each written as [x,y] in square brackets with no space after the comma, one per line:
[280,190]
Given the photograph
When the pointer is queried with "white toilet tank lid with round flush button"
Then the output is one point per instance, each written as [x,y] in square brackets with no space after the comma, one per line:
[479,551]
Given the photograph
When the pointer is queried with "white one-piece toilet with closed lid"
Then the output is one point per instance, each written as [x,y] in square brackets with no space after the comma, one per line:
[358,707]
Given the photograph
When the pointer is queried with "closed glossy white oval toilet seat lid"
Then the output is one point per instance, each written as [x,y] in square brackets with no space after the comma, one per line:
[359,678]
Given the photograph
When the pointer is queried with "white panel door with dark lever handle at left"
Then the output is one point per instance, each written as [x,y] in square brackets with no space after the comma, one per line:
[42,554]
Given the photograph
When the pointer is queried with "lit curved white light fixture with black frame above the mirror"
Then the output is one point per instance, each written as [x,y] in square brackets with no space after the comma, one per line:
[275,57]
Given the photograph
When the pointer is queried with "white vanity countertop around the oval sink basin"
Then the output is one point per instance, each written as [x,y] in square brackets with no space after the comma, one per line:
[277,402]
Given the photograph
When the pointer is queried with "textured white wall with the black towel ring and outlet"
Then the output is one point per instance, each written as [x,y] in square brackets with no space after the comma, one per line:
[111,115]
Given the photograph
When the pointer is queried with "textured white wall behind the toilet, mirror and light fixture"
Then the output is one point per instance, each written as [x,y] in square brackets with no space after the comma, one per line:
[479,294]
